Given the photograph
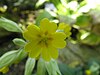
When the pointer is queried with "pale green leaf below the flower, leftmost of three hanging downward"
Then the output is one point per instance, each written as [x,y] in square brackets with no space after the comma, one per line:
[29,66]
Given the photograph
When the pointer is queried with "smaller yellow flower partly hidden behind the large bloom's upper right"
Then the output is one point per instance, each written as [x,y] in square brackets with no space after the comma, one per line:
[65,28]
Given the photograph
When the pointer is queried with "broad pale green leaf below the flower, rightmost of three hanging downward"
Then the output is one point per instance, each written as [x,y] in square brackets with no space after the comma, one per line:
[52,68]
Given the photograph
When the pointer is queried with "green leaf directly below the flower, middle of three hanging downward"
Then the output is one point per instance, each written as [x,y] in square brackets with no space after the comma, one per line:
[41,69]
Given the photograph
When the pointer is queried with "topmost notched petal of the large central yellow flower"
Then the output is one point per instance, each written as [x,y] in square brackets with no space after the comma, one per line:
[47,26]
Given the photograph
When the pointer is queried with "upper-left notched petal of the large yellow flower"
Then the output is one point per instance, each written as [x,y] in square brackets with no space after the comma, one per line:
[31,32]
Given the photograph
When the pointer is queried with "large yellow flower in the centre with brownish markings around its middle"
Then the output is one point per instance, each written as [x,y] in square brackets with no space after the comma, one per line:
[44,40]
